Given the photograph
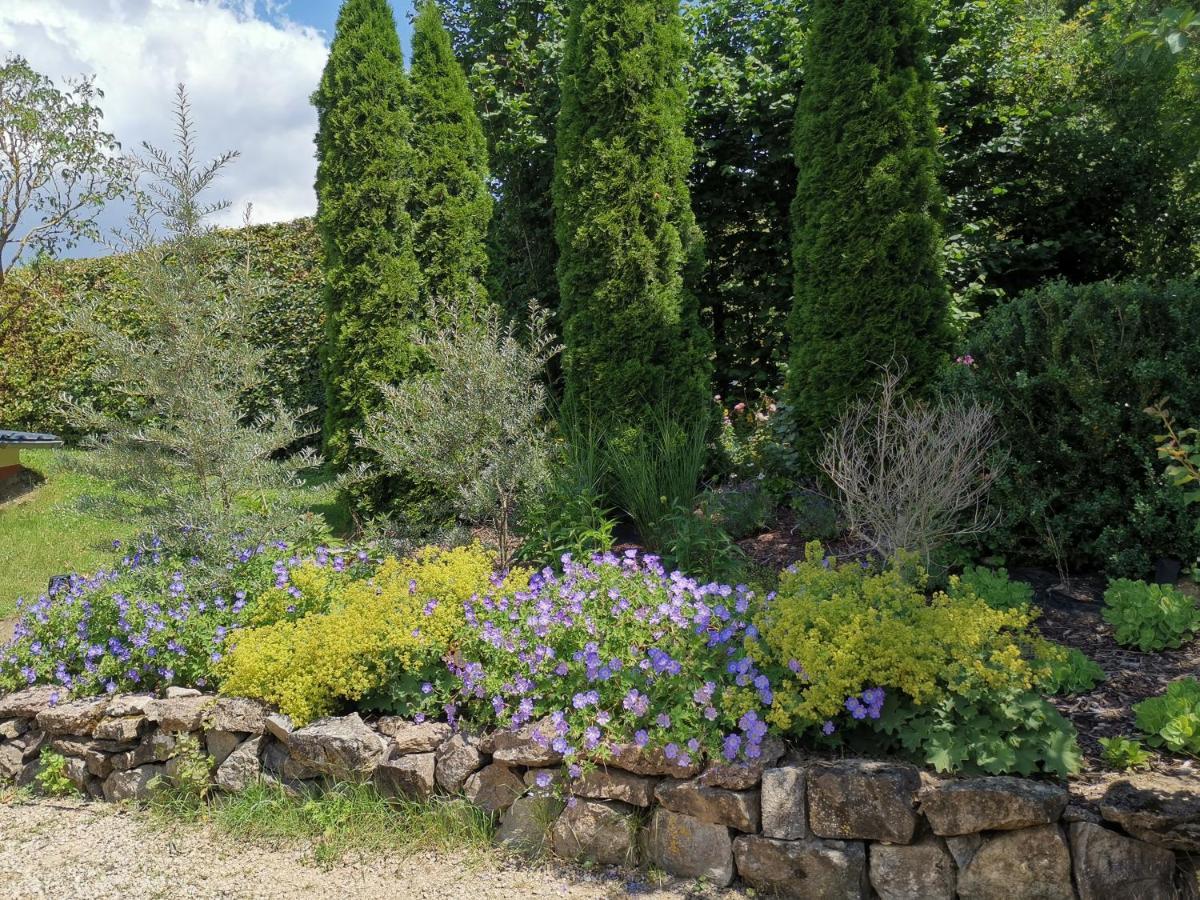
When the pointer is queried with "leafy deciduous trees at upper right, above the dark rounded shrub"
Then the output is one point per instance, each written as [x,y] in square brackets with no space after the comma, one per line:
[1067,154]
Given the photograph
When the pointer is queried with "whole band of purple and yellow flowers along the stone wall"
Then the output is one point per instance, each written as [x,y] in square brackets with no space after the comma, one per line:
[609,652]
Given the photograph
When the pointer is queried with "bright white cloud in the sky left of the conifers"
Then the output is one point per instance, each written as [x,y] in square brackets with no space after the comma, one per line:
[249,81]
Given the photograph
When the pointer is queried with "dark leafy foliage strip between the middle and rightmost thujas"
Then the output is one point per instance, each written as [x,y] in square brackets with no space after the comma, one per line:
[743,80]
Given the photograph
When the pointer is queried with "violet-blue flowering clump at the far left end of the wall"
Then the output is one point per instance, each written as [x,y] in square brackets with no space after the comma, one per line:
[154,620]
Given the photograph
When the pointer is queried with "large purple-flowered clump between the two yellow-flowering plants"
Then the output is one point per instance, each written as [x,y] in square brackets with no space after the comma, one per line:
[619,651]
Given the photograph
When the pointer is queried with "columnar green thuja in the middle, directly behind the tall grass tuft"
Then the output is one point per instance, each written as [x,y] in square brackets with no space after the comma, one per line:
[627,236]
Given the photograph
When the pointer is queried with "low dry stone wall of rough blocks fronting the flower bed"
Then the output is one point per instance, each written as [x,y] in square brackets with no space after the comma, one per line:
[788,826]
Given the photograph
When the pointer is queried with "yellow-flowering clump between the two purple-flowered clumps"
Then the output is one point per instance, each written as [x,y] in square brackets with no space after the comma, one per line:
[373,643]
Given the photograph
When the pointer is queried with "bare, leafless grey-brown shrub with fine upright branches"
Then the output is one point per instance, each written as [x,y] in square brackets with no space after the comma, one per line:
[914,476]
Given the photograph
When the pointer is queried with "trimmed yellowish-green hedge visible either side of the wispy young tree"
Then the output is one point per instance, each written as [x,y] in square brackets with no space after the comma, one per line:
[39,362]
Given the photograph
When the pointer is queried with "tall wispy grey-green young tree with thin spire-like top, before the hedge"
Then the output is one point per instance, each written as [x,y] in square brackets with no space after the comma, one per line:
[183,447]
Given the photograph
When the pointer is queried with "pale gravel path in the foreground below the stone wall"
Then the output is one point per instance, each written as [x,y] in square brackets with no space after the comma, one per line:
[68,850]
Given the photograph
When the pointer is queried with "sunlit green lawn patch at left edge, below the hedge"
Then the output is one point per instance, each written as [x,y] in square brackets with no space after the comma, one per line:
[46,532]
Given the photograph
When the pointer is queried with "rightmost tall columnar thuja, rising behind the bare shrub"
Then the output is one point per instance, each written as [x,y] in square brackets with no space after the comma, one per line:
[867,239]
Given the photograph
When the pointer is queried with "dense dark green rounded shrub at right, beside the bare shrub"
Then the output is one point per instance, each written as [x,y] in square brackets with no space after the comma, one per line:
[1069,371]
